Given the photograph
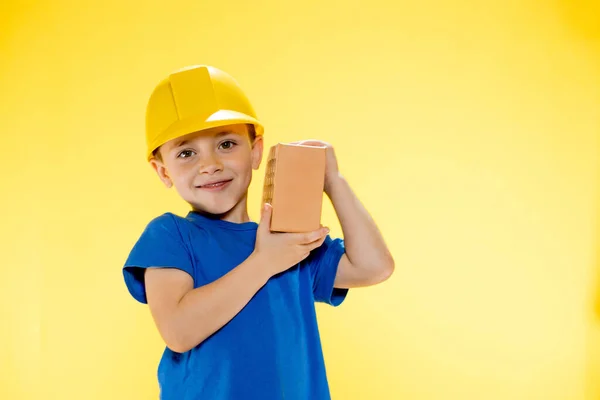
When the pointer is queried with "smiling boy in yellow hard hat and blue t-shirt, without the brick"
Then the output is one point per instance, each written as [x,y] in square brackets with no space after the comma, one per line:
[233,301]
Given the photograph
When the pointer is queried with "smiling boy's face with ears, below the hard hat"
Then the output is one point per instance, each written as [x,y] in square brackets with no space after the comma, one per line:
[221,155]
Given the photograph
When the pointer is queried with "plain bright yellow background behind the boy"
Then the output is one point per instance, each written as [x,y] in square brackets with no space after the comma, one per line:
[469,129]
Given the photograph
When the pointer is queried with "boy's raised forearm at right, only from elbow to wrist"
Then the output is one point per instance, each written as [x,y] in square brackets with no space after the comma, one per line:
[365,246]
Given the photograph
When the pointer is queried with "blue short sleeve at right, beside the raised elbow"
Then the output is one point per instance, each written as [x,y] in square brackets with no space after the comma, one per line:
[323,263]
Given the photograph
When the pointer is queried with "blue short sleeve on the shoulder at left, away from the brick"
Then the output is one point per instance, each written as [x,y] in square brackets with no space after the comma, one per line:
[160,245]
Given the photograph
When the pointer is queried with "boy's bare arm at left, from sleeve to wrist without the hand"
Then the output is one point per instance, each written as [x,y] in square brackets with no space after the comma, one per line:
[185,316]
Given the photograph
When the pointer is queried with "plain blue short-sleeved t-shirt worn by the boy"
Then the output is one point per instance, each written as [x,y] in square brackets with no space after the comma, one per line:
[271,349]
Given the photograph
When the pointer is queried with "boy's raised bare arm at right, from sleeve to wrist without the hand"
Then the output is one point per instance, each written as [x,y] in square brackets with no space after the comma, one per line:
[367,260]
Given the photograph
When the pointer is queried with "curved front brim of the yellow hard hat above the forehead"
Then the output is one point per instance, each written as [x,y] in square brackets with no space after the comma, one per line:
[191,125]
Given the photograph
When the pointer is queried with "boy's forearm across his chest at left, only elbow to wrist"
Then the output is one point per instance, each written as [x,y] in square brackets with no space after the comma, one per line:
[204,310]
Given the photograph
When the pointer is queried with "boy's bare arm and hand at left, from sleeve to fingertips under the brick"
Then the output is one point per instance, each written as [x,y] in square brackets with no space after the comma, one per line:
[185,316]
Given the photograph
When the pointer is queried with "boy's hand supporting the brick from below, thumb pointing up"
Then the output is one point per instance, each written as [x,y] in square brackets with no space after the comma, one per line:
[280,251]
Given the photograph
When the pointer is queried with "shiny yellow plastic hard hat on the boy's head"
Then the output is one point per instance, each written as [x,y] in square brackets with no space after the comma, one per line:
[192,99]
